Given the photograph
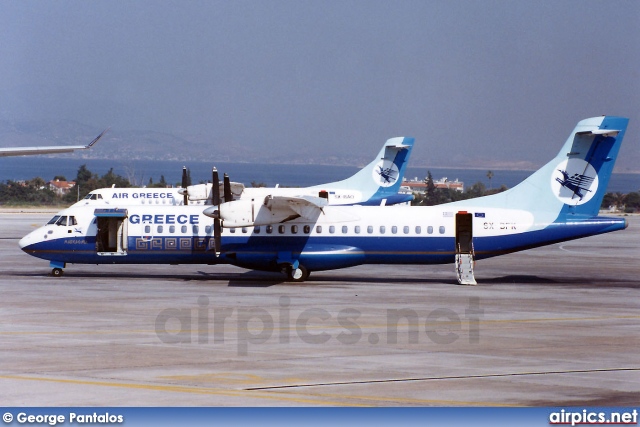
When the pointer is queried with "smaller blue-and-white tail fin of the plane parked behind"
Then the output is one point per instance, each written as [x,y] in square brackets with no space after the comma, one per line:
[380,180]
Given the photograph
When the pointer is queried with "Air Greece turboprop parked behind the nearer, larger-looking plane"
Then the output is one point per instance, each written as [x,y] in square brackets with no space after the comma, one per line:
[378,183]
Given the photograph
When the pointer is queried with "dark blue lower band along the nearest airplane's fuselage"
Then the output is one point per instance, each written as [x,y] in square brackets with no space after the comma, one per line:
[315,252]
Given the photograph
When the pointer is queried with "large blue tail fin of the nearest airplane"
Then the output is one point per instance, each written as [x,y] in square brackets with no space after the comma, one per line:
[573,184]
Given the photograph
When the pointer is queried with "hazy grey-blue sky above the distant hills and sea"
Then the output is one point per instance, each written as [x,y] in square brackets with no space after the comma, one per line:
[486,83]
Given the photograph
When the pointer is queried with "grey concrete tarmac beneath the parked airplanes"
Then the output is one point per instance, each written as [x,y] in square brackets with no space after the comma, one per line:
[553,326]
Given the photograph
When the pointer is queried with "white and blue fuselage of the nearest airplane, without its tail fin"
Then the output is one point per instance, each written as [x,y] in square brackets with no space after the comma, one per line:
[338,238]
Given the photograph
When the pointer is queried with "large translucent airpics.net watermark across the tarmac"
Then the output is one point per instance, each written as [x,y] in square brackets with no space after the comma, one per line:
[206,324]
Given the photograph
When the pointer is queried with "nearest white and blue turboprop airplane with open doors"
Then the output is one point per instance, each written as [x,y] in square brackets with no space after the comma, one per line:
[559,202]
